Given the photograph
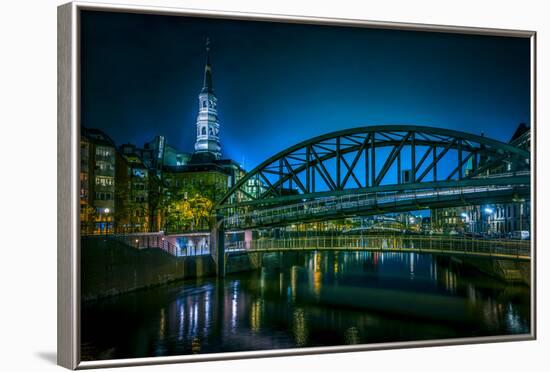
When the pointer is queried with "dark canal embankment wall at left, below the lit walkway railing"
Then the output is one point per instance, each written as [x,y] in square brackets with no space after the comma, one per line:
[110,267]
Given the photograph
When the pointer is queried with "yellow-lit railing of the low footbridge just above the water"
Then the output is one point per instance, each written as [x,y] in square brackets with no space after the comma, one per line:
[438,244]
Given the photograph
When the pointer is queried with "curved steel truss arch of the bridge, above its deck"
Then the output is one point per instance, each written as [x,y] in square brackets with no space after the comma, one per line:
[389,158]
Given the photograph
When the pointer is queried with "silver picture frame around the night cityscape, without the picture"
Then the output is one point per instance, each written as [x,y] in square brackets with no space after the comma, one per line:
[68,232]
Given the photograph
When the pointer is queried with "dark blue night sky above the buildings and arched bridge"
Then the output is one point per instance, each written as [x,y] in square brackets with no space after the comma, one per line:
[278,84]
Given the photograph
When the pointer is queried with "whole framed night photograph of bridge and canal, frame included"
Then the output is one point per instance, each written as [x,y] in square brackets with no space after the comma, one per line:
[236,185]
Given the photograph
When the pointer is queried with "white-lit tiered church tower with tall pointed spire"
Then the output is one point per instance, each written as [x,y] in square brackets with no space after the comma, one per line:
[208,140]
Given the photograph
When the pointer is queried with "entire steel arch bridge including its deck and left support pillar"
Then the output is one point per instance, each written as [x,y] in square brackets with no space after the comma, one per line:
[373,170]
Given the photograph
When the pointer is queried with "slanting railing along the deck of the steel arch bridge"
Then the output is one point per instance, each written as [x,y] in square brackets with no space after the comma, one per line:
[334,204]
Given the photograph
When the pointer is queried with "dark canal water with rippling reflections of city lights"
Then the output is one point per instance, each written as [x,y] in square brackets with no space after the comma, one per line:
[304,300]
